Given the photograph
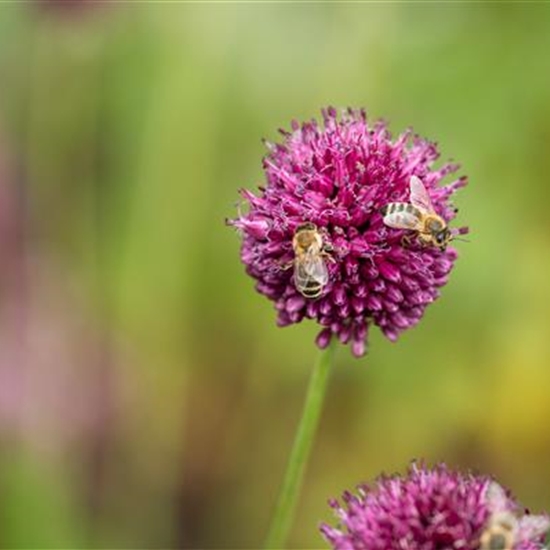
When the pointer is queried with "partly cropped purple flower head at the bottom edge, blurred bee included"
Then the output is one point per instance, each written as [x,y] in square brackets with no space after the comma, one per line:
[434,509]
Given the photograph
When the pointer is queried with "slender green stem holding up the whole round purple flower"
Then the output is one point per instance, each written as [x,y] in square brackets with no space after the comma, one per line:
[290,490]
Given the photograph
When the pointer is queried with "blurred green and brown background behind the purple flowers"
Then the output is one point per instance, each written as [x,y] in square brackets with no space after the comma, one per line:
[147,398]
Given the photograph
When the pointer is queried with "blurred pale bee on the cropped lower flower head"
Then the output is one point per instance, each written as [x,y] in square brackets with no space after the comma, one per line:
[504,529]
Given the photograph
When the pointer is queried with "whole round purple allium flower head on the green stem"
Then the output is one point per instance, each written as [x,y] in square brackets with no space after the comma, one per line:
[337,178]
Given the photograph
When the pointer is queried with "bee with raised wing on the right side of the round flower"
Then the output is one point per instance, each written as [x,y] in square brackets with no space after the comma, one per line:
[418,215]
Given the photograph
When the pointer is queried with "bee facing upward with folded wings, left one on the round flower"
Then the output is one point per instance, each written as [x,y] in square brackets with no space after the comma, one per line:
[310,268]
